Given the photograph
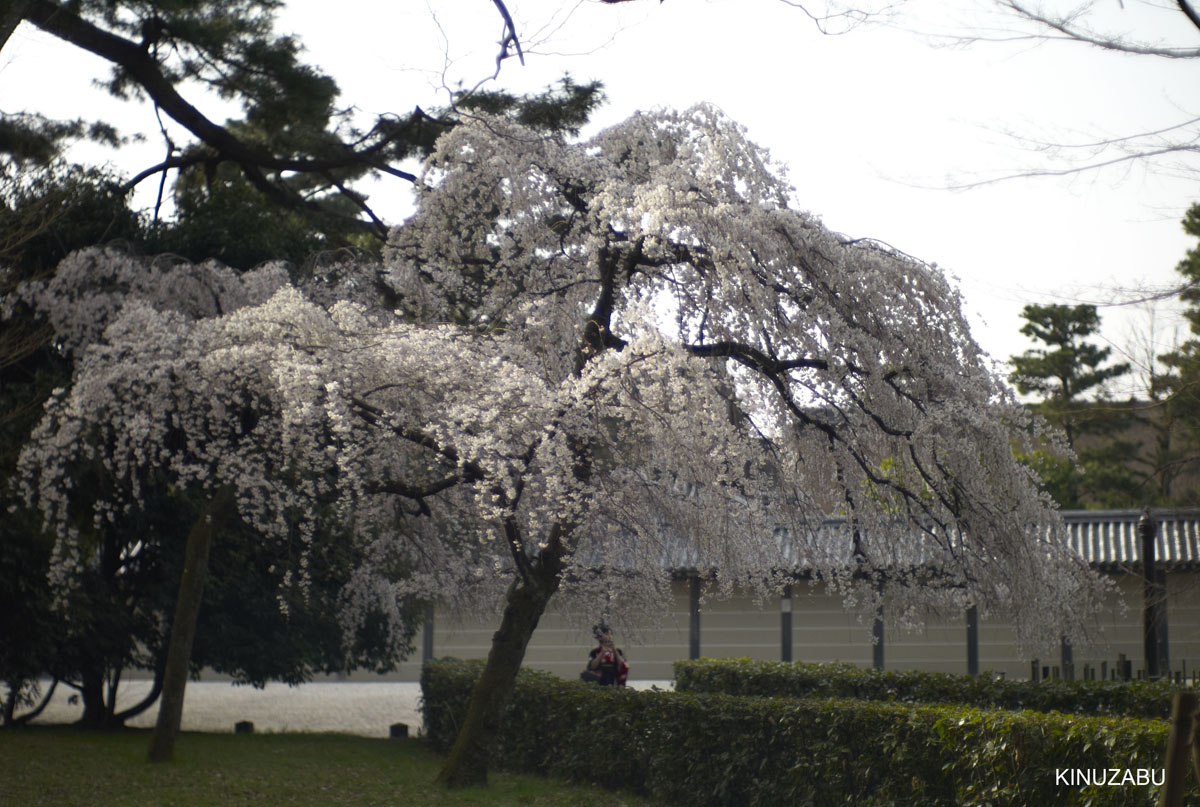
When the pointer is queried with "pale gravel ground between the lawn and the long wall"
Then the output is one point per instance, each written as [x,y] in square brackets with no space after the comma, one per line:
[367,709]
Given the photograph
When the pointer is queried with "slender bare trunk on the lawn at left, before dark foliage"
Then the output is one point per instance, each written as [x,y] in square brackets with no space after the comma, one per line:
[183,630]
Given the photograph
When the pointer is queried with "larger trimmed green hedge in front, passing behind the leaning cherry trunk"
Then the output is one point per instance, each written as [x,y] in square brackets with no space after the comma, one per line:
[727,751]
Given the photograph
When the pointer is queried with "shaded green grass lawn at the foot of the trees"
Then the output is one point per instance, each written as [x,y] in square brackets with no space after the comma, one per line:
[68,768]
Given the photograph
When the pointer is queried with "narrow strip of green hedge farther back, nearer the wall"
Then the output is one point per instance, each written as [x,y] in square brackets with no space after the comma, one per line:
[745,677]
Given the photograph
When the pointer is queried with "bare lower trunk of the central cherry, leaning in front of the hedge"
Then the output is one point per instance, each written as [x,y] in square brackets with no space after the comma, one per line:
[527,599]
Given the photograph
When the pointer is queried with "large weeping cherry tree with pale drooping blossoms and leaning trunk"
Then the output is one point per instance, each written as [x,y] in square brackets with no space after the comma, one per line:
[610,358]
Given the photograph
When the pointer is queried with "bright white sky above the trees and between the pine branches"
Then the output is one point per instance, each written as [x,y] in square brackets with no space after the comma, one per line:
[873,124]
